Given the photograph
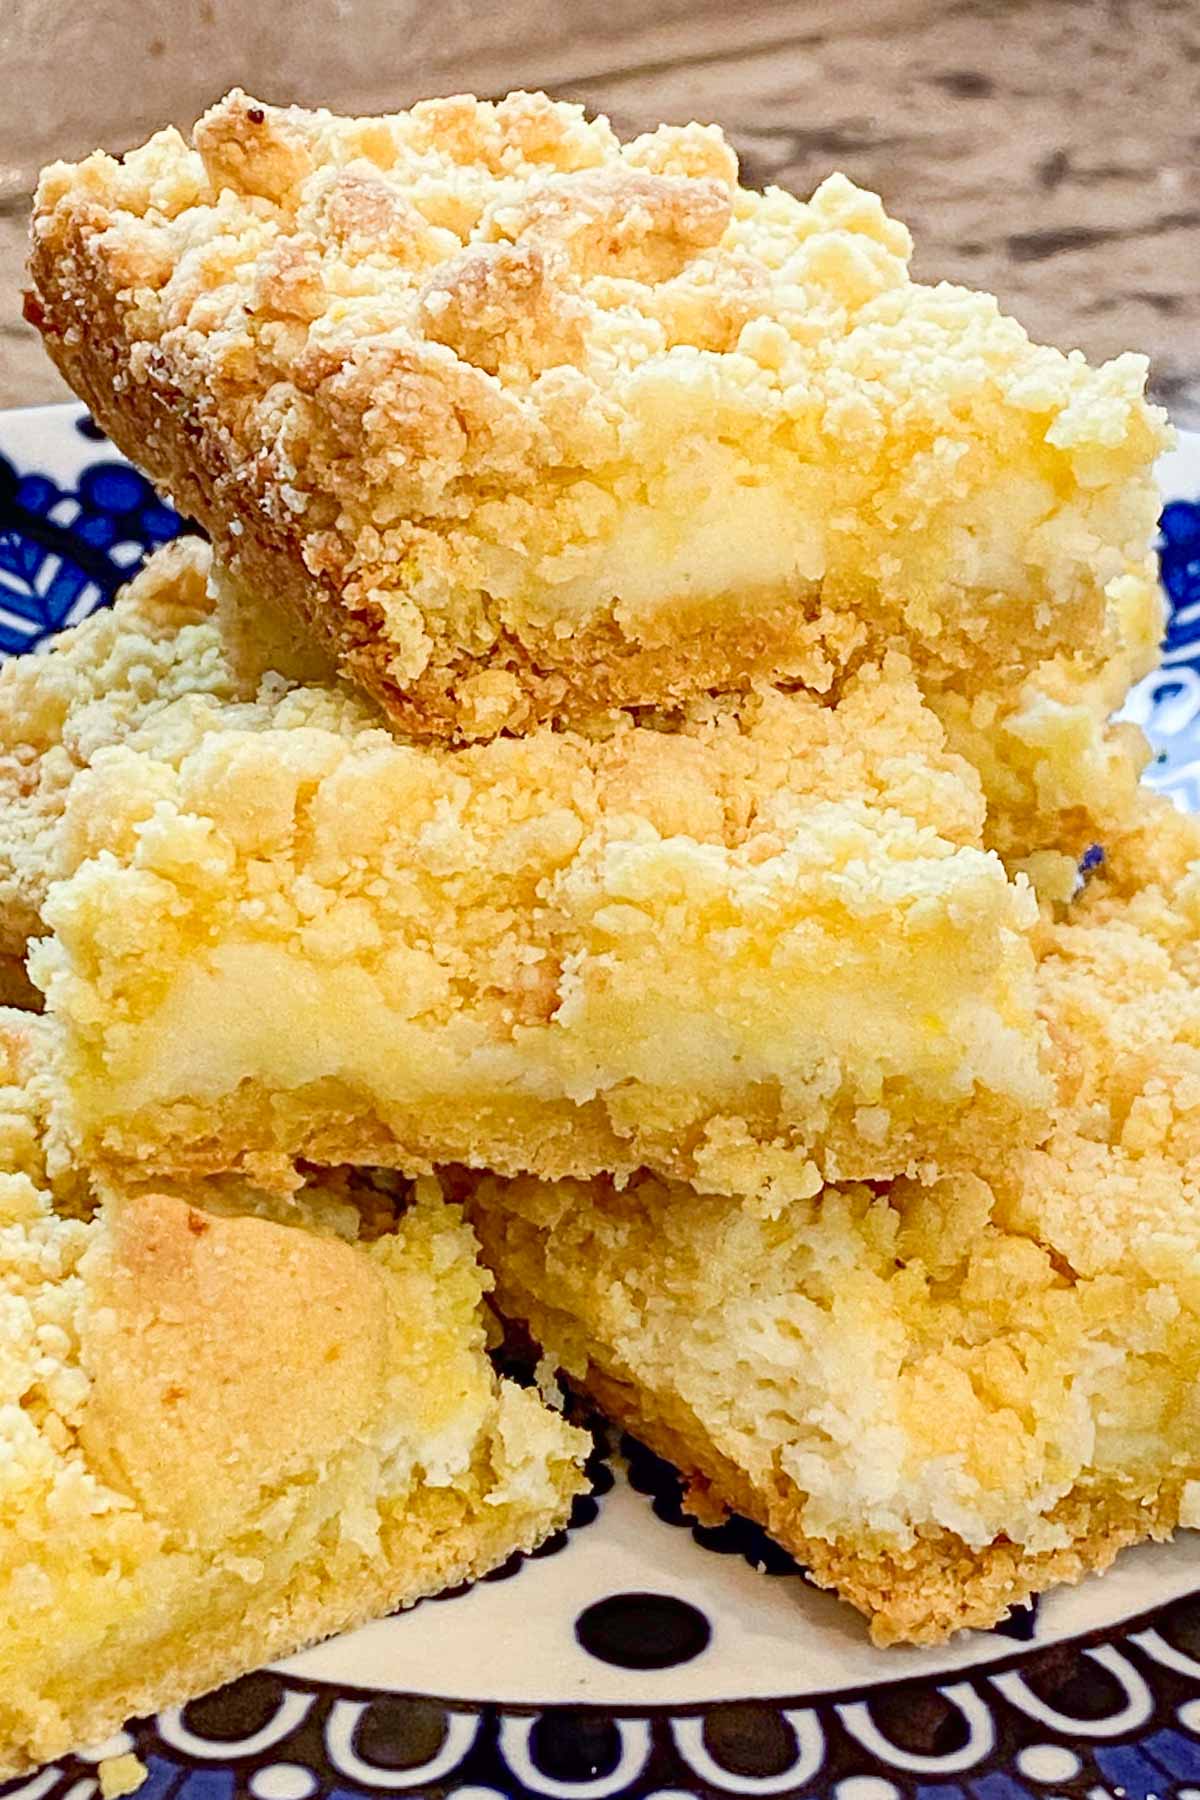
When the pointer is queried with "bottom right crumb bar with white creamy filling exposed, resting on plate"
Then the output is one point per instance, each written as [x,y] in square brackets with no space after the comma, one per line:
[940,1399]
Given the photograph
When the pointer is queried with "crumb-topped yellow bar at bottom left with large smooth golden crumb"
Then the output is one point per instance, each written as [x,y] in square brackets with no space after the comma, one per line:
[229,1430]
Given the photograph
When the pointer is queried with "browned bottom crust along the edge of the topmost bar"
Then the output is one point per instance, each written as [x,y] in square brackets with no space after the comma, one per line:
[519,683]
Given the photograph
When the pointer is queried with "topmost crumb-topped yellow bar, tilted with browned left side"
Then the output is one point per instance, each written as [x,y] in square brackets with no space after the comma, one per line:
[521,420]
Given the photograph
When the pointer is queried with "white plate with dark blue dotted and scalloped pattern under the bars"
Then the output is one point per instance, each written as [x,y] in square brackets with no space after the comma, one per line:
[643,1655]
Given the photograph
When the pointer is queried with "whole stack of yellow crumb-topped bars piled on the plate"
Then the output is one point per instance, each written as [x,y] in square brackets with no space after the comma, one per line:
[623,818]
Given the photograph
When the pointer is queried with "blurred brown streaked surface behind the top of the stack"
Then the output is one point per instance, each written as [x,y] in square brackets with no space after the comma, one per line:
[1044,148]
